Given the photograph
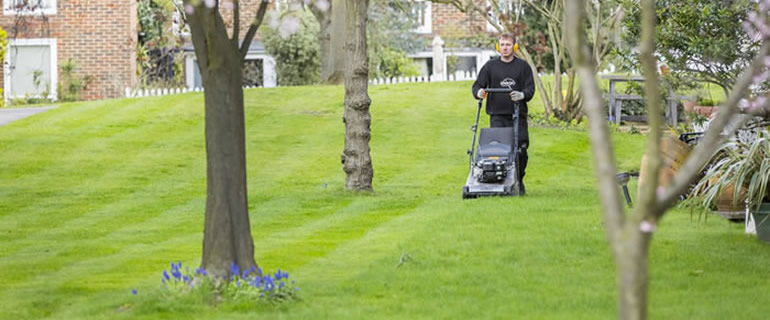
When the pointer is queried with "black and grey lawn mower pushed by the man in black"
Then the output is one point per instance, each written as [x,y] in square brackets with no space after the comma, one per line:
[493,165]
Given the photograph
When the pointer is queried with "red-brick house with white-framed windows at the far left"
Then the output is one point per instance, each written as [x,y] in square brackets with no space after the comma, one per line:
[99,36]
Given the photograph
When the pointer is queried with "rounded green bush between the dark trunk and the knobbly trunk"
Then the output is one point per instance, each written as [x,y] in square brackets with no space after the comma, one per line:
[297,56]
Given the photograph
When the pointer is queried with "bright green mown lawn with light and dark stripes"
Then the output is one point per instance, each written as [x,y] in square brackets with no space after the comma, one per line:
[97,198]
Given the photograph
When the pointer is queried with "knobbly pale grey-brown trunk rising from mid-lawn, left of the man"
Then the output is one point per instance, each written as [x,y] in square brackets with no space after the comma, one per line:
[356,161]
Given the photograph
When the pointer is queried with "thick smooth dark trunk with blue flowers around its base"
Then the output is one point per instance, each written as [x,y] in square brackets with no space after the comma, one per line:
[227,233]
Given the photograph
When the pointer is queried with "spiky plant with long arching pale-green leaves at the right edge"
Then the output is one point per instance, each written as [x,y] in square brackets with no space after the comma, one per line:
[741,167]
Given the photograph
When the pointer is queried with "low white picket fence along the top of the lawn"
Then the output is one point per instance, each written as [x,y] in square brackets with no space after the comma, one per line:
[458,76]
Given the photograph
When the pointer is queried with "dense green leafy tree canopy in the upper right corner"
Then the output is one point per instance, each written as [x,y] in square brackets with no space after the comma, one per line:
[699,40]
